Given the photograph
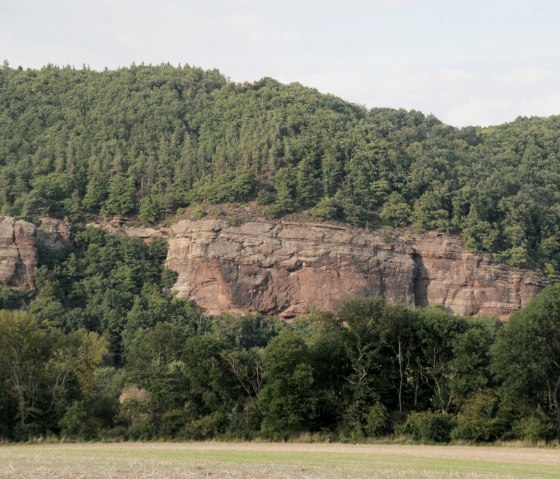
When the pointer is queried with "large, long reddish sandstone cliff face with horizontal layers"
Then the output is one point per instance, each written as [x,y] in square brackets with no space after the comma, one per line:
[287,268]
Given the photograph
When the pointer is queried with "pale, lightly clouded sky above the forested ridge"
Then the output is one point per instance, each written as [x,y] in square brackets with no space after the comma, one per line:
[477,62]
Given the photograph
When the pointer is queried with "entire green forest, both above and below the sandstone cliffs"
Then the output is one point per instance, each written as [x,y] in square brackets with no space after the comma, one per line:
[103,350]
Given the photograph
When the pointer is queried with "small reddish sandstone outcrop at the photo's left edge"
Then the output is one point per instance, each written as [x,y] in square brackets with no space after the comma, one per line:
[18,252]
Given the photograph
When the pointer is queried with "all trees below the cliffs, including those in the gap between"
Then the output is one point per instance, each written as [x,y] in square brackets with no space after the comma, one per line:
[103,350]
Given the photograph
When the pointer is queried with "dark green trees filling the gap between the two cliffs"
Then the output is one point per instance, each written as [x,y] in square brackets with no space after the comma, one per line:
[108,284]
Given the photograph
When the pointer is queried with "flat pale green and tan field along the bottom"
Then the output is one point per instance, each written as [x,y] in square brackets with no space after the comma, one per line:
[275,461]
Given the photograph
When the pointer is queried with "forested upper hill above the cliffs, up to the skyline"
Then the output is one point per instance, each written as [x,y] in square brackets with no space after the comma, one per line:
[148,140]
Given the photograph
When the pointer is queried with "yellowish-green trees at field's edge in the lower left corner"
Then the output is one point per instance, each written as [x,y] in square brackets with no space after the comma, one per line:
[41,371]
